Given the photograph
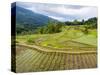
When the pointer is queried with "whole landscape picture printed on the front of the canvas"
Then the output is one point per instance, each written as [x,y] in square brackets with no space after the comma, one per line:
[47,44]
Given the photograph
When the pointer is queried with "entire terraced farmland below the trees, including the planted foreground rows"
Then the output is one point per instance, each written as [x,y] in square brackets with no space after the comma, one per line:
[69,49]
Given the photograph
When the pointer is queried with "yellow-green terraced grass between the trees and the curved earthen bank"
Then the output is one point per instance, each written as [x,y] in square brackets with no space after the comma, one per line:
[61,40]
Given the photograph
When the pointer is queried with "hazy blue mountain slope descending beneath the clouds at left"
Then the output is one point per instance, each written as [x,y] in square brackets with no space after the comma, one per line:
[27,20]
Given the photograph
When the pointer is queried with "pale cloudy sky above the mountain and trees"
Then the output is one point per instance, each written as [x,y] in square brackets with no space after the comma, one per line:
[61,12]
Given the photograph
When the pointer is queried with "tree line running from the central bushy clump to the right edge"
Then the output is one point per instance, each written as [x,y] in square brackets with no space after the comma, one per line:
[55,27]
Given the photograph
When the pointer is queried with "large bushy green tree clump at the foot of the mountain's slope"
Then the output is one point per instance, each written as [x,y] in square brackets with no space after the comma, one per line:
[52,27]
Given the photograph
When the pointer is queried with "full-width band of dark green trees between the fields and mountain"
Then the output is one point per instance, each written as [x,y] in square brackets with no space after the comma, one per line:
[55,26]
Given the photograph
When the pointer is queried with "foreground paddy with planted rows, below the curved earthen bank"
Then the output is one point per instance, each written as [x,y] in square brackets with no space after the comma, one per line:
[33,60]
